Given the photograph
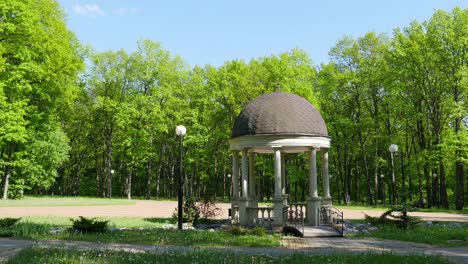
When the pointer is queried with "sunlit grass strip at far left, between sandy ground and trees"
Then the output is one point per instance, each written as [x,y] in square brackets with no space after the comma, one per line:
[29,201]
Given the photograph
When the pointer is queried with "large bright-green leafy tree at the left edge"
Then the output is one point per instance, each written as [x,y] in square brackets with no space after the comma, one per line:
[40,60]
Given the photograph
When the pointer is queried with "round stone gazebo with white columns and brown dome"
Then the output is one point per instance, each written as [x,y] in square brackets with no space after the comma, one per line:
[278,123]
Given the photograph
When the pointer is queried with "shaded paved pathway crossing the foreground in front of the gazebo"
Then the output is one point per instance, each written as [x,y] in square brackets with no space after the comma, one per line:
[289,245]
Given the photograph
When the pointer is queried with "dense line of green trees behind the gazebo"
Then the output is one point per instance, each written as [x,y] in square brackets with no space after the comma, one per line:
[74,121]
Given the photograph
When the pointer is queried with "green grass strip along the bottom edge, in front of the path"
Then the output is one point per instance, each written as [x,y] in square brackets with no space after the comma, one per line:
[206,256]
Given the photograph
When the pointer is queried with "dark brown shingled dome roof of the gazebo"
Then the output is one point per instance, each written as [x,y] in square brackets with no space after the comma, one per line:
[279,113]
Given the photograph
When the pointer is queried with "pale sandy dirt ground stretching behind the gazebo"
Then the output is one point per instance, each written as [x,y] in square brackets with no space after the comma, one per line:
[155,209]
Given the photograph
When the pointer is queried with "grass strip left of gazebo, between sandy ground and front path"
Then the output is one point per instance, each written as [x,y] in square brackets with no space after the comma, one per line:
[139,231]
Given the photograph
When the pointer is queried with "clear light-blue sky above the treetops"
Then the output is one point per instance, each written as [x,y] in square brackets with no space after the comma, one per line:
[215,31]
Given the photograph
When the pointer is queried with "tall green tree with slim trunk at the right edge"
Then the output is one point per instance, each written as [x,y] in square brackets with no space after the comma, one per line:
[448,37]
